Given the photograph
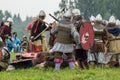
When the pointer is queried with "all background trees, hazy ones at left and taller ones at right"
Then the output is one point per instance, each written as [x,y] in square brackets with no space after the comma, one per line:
[87,7]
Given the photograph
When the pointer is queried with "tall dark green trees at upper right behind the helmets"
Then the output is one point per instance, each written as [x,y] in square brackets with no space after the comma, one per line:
[93,7]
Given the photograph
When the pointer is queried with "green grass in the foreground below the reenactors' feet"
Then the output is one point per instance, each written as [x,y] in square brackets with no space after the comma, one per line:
[64,74]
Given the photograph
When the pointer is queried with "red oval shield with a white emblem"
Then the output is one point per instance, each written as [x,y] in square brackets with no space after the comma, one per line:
[86,35]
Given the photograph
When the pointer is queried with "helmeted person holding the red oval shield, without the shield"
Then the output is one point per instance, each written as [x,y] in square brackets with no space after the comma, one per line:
[80,53]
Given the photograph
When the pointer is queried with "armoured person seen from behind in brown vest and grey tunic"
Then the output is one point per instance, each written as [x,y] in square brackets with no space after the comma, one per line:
[63,47]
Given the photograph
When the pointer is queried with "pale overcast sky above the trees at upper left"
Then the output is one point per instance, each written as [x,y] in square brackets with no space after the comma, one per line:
[30,7]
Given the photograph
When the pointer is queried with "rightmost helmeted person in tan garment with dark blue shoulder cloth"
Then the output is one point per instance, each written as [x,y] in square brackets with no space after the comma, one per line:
[112,40]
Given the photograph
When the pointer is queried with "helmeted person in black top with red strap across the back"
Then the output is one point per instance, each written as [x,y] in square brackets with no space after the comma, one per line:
[38,27]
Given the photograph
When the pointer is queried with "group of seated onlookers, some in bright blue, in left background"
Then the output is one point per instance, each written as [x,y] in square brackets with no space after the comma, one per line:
[14,44]
